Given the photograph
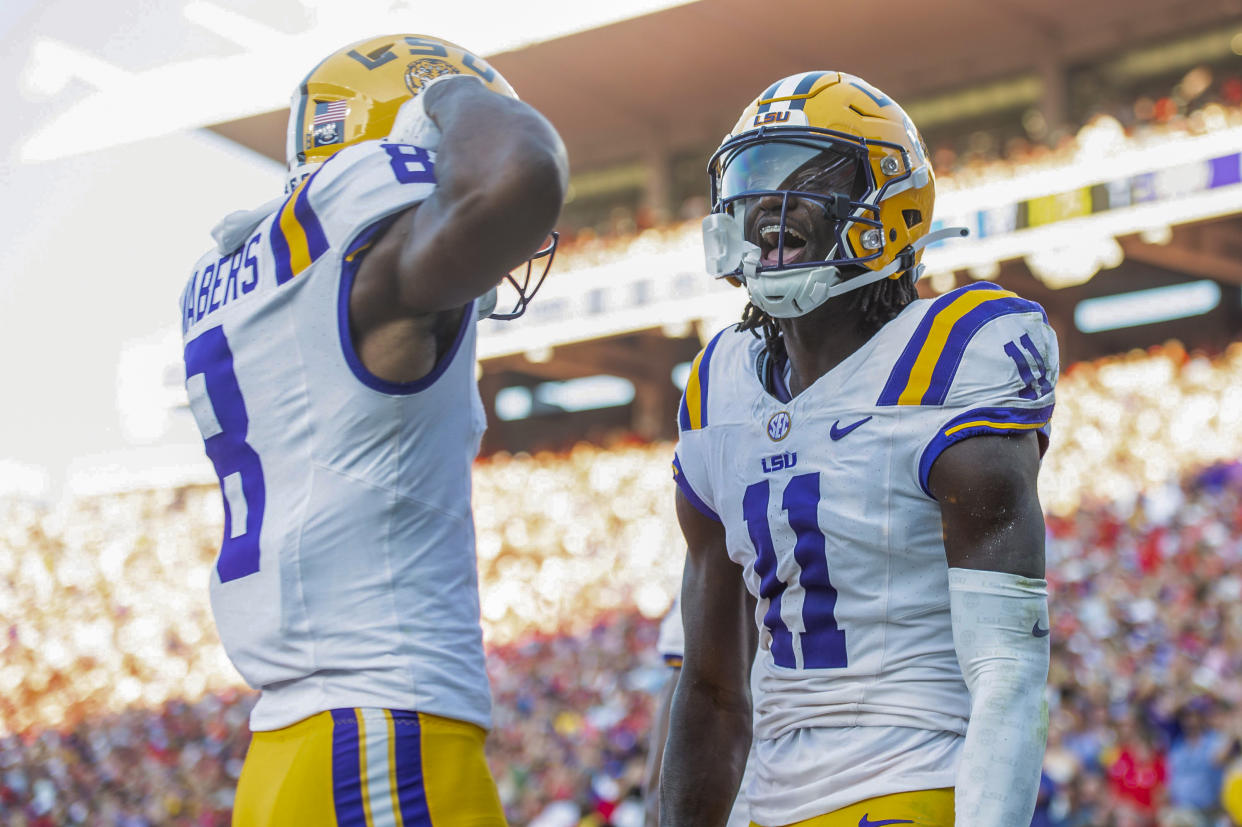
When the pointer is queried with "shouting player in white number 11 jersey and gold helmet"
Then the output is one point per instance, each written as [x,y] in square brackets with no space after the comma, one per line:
[864,463]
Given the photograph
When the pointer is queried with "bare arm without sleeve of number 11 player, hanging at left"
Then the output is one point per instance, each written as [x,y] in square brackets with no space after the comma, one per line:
[710,728]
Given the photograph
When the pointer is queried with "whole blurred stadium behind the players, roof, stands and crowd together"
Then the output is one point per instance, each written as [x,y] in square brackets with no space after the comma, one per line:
[1095,151]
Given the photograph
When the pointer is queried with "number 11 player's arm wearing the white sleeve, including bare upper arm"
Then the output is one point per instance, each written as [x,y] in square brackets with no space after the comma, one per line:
[994,543]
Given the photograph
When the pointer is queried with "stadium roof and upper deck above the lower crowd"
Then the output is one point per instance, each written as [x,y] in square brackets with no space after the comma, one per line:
[1079,142]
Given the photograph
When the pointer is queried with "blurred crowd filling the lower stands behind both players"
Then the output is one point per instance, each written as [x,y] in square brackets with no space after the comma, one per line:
[117,706]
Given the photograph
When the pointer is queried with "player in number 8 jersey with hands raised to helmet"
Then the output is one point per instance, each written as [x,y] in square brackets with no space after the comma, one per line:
[330,361]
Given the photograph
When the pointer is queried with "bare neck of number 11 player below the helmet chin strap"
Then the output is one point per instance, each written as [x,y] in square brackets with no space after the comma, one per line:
[822,341]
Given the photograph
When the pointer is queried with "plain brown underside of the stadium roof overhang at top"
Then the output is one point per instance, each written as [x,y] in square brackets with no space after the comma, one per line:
[681,76]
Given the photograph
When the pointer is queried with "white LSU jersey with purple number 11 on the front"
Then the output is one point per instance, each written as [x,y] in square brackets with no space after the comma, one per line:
[825,505]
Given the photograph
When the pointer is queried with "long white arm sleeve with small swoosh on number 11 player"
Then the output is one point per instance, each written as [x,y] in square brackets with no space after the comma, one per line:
[1000,629]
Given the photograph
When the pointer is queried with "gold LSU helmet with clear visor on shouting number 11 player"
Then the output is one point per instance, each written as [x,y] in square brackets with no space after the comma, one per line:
[830,140]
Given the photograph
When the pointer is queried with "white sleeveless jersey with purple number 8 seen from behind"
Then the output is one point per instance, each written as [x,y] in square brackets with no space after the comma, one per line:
[347,574]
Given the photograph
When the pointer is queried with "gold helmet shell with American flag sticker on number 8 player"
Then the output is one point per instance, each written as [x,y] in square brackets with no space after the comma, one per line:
[355,94]
